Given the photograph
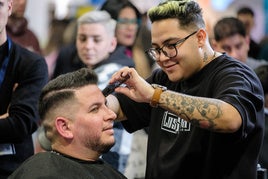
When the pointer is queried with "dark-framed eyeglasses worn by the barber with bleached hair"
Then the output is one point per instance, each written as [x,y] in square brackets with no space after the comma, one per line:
[169,50]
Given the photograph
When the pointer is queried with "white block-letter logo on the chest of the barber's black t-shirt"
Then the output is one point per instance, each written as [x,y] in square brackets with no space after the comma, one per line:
[174,124]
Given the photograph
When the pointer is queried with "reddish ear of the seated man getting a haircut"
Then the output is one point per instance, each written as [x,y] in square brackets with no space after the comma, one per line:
[62,126]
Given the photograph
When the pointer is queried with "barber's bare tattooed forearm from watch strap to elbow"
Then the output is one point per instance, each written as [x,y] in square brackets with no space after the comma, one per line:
[207,113]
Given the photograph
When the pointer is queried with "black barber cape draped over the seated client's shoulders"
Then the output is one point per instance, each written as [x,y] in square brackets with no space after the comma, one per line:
[52,165]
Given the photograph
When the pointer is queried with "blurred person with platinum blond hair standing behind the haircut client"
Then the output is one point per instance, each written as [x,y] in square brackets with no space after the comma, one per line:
[96,48]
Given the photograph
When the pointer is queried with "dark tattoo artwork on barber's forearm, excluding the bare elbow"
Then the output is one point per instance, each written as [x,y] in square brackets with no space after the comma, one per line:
[199,111]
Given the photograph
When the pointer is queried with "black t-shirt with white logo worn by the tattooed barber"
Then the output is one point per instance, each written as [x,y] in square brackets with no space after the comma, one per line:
[177,149]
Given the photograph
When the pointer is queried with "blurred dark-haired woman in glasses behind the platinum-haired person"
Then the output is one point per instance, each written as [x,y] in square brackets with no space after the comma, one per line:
[127,32]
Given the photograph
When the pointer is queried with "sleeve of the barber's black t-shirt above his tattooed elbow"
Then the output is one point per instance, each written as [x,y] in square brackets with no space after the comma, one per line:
[242,90]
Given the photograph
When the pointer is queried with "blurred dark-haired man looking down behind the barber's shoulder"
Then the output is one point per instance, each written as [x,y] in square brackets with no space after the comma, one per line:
[230,36]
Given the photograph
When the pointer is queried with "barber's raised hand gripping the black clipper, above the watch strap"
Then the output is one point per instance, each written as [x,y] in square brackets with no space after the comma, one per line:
[136,87]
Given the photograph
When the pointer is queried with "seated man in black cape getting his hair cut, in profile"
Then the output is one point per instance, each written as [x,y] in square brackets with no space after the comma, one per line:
[80,127]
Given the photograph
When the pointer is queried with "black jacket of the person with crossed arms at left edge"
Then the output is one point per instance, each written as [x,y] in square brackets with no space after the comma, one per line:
[29,71]
